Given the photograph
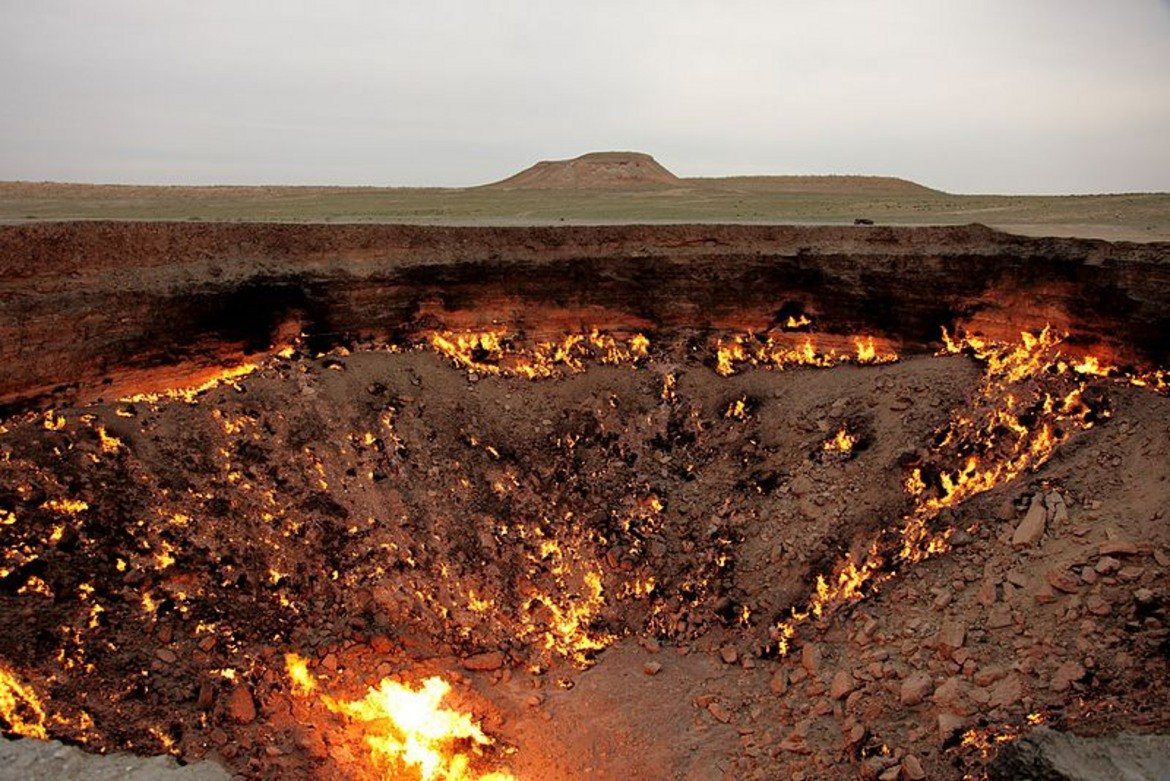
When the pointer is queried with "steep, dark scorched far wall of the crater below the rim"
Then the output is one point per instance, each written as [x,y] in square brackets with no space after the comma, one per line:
[94,306]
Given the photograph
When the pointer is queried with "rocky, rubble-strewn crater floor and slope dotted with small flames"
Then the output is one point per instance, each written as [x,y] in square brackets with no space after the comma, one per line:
[387,514]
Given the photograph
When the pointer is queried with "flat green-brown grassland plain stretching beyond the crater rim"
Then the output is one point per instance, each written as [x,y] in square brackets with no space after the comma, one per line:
[1135,217]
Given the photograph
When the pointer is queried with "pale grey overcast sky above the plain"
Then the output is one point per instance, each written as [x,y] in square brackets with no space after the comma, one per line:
[1017,96]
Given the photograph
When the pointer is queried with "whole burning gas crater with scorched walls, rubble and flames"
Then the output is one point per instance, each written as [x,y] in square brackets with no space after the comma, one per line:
[625,502]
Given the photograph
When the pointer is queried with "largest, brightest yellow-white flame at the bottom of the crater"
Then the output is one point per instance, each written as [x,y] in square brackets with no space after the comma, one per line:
[408,730]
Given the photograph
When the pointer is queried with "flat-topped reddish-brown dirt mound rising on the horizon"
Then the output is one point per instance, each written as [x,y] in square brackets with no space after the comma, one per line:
[594,171]
